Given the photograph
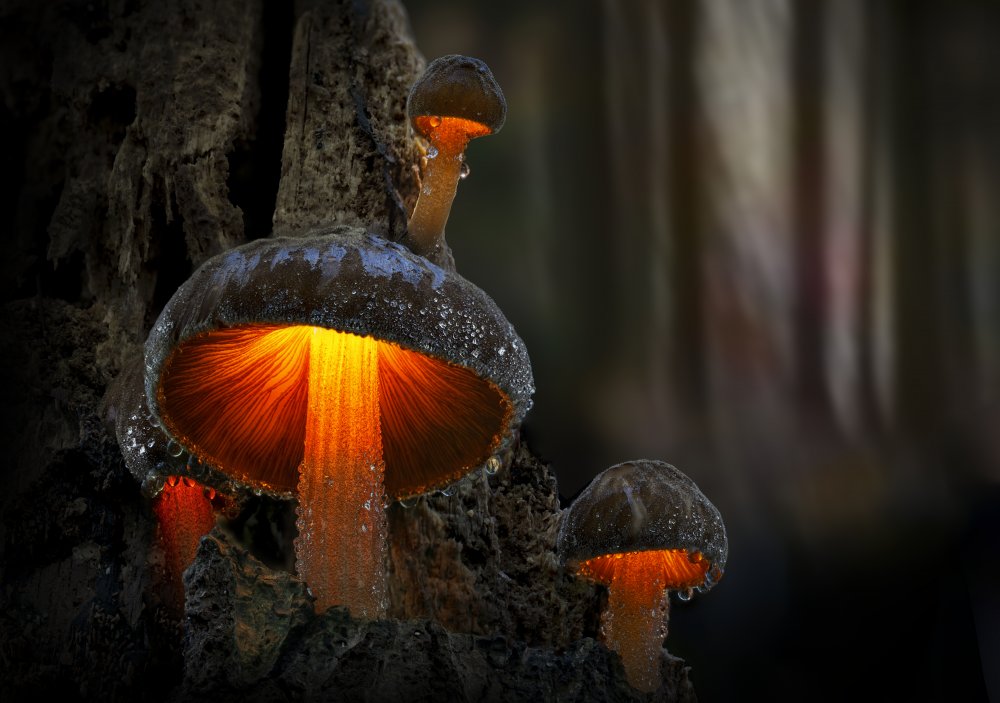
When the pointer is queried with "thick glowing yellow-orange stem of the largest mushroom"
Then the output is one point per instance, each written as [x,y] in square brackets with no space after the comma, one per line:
[341,545]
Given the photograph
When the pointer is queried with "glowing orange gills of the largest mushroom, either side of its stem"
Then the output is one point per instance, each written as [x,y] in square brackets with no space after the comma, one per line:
[237,398]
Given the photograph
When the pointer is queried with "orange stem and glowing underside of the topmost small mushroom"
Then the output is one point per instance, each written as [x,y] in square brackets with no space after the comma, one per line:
[448,138]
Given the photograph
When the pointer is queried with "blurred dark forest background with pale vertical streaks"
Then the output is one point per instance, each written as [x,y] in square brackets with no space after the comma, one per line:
[760,239]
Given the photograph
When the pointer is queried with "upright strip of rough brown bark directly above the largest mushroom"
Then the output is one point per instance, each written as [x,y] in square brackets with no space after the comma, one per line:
[348,154]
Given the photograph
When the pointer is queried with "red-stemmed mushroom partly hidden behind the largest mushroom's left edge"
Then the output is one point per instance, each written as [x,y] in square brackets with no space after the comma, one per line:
[184,509]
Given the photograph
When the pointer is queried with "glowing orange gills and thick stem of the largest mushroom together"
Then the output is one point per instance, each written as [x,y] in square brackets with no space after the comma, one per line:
[342,419]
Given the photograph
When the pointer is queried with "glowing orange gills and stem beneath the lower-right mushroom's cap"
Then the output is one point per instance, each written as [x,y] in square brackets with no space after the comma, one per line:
[634,624]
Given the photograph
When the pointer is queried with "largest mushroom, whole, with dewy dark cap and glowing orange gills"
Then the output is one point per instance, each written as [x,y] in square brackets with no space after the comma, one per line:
[341,369]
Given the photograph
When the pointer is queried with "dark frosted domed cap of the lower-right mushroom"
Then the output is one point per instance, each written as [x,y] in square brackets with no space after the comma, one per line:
[642,505]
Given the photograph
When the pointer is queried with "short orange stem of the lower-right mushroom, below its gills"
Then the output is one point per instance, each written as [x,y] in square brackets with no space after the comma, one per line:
[628,628]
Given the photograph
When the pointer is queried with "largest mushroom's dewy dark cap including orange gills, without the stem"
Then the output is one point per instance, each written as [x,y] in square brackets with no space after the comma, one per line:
[345,279]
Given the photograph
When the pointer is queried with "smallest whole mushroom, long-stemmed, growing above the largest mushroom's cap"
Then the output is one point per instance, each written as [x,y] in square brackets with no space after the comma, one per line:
[454,101]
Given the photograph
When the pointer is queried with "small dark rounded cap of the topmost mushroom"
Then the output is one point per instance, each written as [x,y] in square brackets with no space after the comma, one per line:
[458,86]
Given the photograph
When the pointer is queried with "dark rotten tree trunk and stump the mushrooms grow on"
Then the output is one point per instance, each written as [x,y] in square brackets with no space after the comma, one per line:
[145,134]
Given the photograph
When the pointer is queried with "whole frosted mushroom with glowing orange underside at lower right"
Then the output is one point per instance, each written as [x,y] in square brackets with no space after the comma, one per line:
[643,528]
